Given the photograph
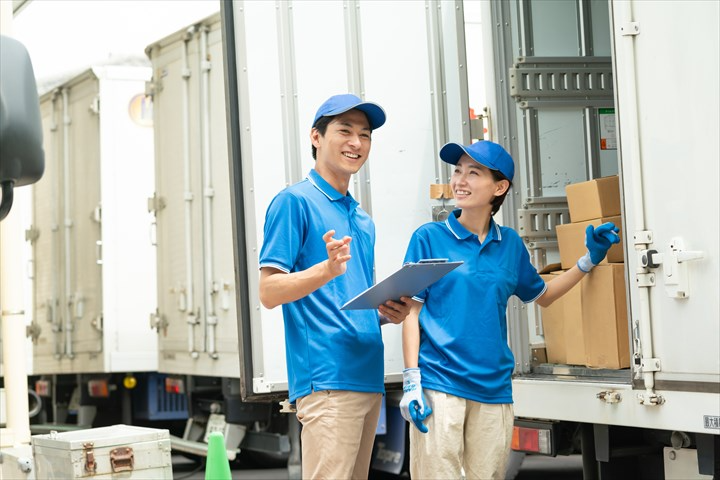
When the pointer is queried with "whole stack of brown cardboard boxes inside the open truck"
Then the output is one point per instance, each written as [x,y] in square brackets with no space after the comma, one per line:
[588,325]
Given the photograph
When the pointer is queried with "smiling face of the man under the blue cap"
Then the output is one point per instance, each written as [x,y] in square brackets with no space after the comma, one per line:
[345,146]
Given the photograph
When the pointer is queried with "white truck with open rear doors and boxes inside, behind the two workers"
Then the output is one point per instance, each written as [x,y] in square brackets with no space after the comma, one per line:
[576,92]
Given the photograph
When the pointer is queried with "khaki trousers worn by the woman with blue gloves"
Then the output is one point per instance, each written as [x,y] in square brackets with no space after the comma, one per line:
[462,434]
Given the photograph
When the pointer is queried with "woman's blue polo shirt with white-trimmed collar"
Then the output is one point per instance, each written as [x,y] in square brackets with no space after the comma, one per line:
[463,329]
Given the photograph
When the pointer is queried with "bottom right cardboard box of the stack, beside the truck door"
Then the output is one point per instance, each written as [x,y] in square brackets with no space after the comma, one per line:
[604,313]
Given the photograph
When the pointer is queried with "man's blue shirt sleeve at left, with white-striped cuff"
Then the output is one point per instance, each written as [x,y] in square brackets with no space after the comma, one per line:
[285,229]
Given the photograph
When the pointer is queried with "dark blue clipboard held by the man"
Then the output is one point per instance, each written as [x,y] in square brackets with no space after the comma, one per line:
[406,282]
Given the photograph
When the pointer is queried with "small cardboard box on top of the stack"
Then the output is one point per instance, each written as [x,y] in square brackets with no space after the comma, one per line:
[594,199]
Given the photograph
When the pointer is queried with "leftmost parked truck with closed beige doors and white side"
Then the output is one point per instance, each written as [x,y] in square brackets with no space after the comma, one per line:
[92,263]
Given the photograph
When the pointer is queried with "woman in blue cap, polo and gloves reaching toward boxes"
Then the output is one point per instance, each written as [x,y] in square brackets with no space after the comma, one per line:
[455,339]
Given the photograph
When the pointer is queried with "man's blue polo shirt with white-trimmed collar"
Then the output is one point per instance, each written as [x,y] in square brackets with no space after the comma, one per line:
[326,348]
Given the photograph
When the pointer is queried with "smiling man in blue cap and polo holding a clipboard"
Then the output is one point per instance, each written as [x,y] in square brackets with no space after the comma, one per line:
[318,252]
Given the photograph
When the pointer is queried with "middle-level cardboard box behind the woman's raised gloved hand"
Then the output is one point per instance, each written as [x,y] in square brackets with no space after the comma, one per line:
[571,242]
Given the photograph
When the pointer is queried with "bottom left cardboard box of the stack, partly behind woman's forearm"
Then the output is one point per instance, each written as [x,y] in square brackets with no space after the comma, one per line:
[563,326]
